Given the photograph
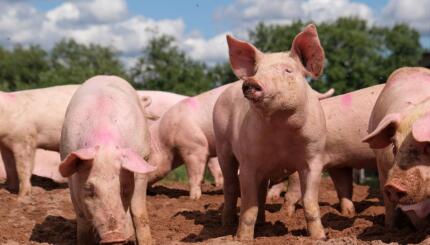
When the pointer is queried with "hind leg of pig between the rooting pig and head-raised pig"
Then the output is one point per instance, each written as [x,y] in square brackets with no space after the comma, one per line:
[195,162]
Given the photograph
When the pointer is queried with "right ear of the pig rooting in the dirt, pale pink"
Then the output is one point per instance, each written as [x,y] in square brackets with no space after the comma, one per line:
[133,162]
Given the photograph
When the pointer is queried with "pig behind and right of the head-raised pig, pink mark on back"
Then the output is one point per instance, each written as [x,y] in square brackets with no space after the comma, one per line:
[347,118]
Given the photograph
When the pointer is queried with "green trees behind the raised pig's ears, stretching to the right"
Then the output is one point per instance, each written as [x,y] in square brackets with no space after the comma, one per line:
[357,55]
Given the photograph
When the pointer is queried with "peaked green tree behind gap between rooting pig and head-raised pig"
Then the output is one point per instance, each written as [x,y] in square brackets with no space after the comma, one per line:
[163,66]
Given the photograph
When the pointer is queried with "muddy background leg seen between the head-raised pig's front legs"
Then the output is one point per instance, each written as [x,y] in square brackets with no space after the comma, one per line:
[293,194]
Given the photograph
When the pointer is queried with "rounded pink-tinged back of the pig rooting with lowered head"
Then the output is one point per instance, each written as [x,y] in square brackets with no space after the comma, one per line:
[105,109]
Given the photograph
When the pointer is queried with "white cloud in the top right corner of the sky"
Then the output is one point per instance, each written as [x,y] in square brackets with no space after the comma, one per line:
[414,13]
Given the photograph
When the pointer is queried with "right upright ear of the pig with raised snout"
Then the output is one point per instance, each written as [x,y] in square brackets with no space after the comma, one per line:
[307,47]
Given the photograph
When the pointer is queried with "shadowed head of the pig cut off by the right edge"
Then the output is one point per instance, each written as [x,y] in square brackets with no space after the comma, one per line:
[408,134]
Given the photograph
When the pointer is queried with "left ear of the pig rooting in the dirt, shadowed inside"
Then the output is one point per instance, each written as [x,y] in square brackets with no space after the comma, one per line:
[70,165]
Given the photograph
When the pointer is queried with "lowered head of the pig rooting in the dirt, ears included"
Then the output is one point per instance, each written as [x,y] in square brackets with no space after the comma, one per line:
[104,183]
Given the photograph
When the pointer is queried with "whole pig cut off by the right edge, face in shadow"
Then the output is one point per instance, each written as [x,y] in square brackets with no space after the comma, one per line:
[399,134]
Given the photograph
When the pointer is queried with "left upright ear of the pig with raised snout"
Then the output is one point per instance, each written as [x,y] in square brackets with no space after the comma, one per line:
[243,57]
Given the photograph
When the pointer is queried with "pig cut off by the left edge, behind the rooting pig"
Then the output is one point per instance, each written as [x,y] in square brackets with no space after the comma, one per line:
[32,119]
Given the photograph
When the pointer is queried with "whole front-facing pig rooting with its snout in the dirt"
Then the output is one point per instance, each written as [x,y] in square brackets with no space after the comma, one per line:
[104,144]
